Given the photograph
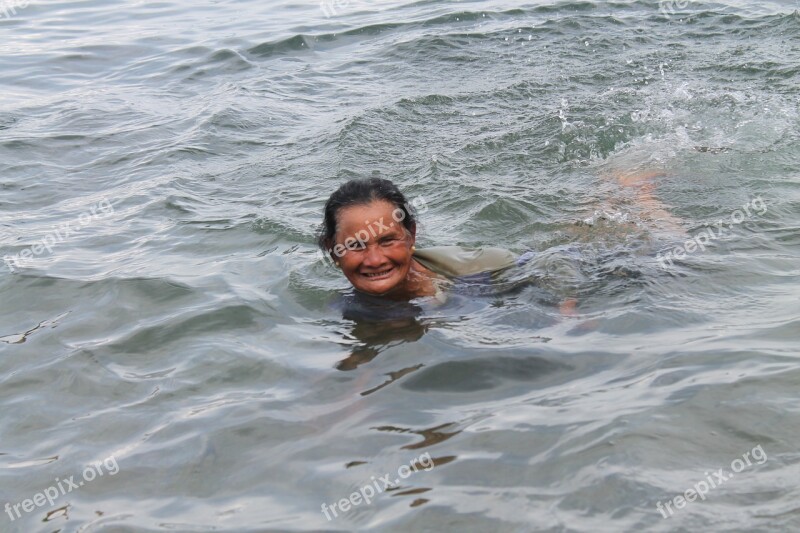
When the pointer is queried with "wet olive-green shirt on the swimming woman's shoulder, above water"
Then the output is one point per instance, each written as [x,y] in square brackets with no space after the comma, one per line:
[457,261]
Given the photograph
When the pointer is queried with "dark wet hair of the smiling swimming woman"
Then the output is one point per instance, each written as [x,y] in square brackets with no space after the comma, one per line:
[361,192]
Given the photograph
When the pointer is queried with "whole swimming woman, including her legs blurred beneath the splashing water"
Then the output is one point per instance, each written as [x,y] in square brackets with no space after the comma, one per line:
[369,231]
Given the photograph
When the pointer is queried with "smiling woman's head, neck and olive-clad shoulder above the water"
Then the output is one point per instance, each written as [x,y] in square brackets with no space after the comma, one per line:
[369,230]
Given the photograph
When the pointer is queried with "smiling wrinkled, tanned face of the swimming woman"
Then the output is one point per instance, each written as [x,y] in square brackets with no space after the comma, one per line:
[373,250]
